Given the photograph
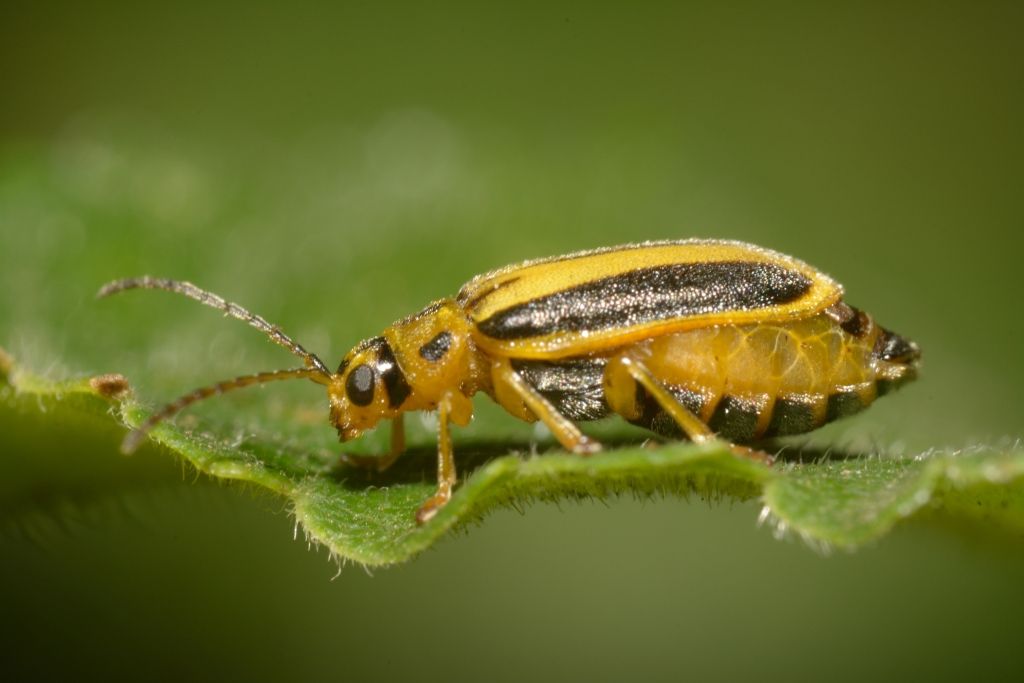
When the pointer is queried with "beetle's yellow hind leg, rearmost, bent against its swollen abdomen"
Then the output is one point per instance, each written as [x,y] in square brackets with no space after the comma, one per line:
[621,377]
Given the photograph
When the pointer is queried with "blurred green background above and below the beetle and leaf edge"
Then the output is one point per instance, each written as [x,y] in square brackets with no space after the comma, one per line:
[337,167]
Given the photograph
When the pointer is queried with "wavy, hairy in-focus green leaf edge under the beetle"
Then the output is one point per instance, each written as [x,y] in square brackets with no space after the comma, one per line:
[366,519]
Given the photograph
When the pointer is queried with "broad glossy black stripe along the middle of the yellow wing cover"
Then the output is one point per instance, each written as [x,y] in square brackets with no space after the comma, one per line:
[648,295]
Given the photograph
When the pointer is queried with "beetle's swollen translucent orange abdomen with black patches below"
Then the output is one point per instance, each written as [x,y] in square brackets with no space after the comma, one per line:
[752,381]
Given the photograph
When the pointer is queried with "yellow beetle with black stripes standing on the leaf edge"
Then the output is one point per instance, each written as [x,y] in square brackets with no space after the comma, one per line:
[692,338]
